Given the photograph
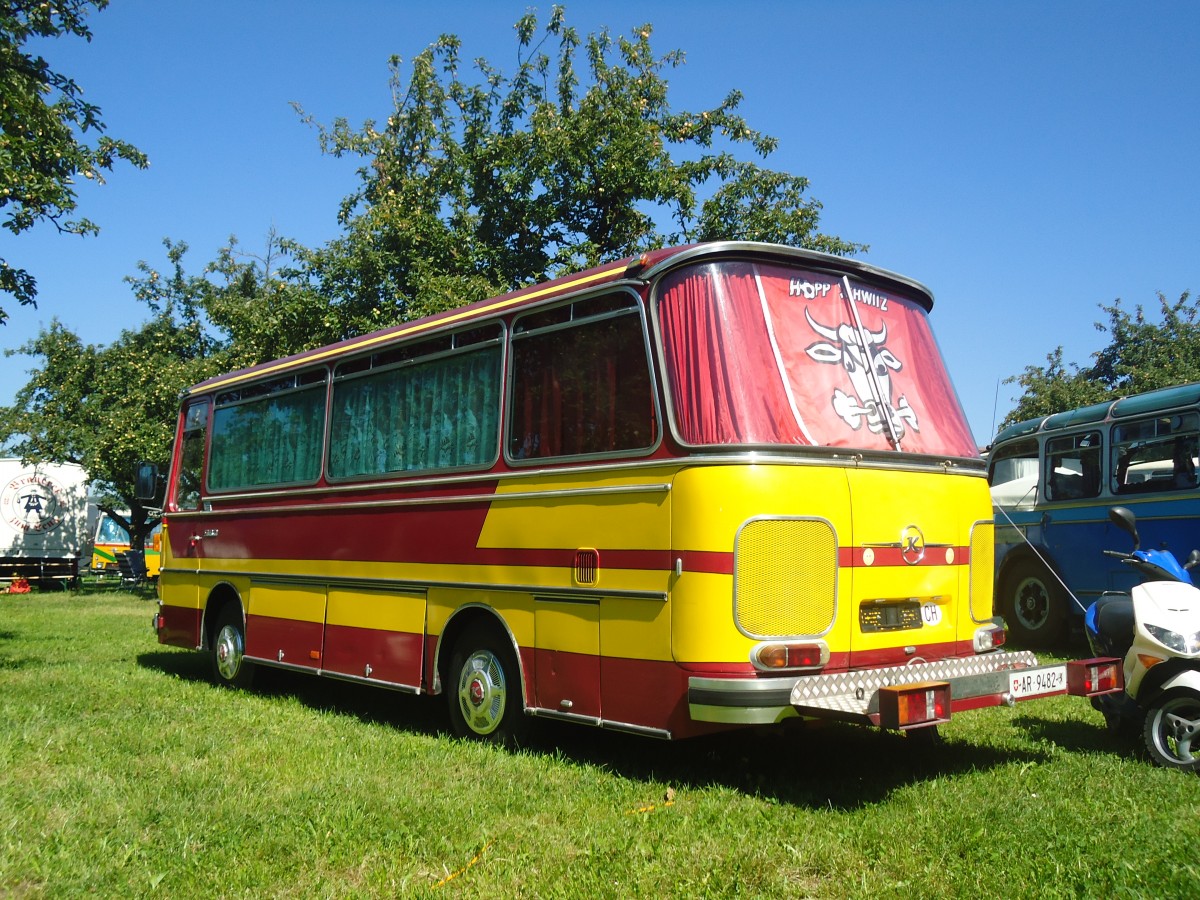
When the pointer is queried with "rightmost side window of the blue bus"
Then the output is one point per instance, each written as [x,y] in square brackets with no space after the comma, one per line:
[1156,454]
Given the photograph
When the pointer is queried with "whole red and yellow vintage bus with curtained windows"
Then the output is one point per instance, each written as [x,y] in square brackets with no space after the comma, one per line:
[711,487]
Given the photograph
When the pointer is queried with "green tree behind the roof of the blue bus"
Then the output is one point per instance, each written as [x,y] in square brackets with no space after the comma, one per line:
[1142,356]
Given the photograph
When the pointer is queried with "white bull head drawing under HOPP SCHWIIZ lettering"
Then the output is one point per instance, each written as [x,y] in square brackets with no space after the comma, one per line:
[869,364]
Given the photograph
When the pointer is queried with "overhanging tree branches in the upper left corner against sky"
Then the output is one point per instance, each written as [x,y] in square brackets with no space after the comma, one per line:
[45,124]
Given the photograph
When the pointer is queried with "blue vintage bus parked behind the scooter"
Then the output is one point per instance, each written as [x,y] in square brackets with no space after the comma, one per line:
[1054,481]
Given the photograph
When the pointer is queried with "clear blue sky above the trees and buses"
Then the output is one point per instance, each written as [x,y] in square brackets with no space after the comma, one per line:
[1028,161]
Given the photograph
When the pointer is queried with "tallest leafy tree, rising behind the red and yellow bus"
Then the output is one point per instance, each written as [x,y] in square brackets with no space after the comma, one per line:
[472,188]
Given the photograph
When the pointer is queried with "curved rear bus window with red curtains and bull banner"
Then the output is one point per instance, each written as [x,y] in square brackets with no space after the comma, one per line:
[766,355]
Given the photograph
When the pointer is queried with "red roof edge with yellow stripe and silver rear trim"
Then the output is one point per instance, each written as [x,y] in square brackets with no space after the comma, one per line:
[634,269]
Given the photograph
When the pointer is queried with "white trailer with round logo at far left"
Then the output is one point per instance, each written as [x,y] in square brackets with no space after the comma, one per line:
[44,523]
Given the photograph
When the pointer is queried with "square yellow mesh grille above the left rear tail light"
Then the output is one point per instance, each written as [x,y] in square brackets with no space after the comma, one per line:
[785,578]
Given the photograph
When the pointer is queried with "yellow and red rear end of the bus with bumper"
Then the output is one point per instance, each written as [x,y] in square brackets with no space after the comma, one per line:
[833,527]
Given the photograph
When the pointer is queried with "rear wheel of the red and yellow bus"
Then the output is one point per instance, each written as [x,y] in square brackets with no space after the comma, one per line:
[485,689]
